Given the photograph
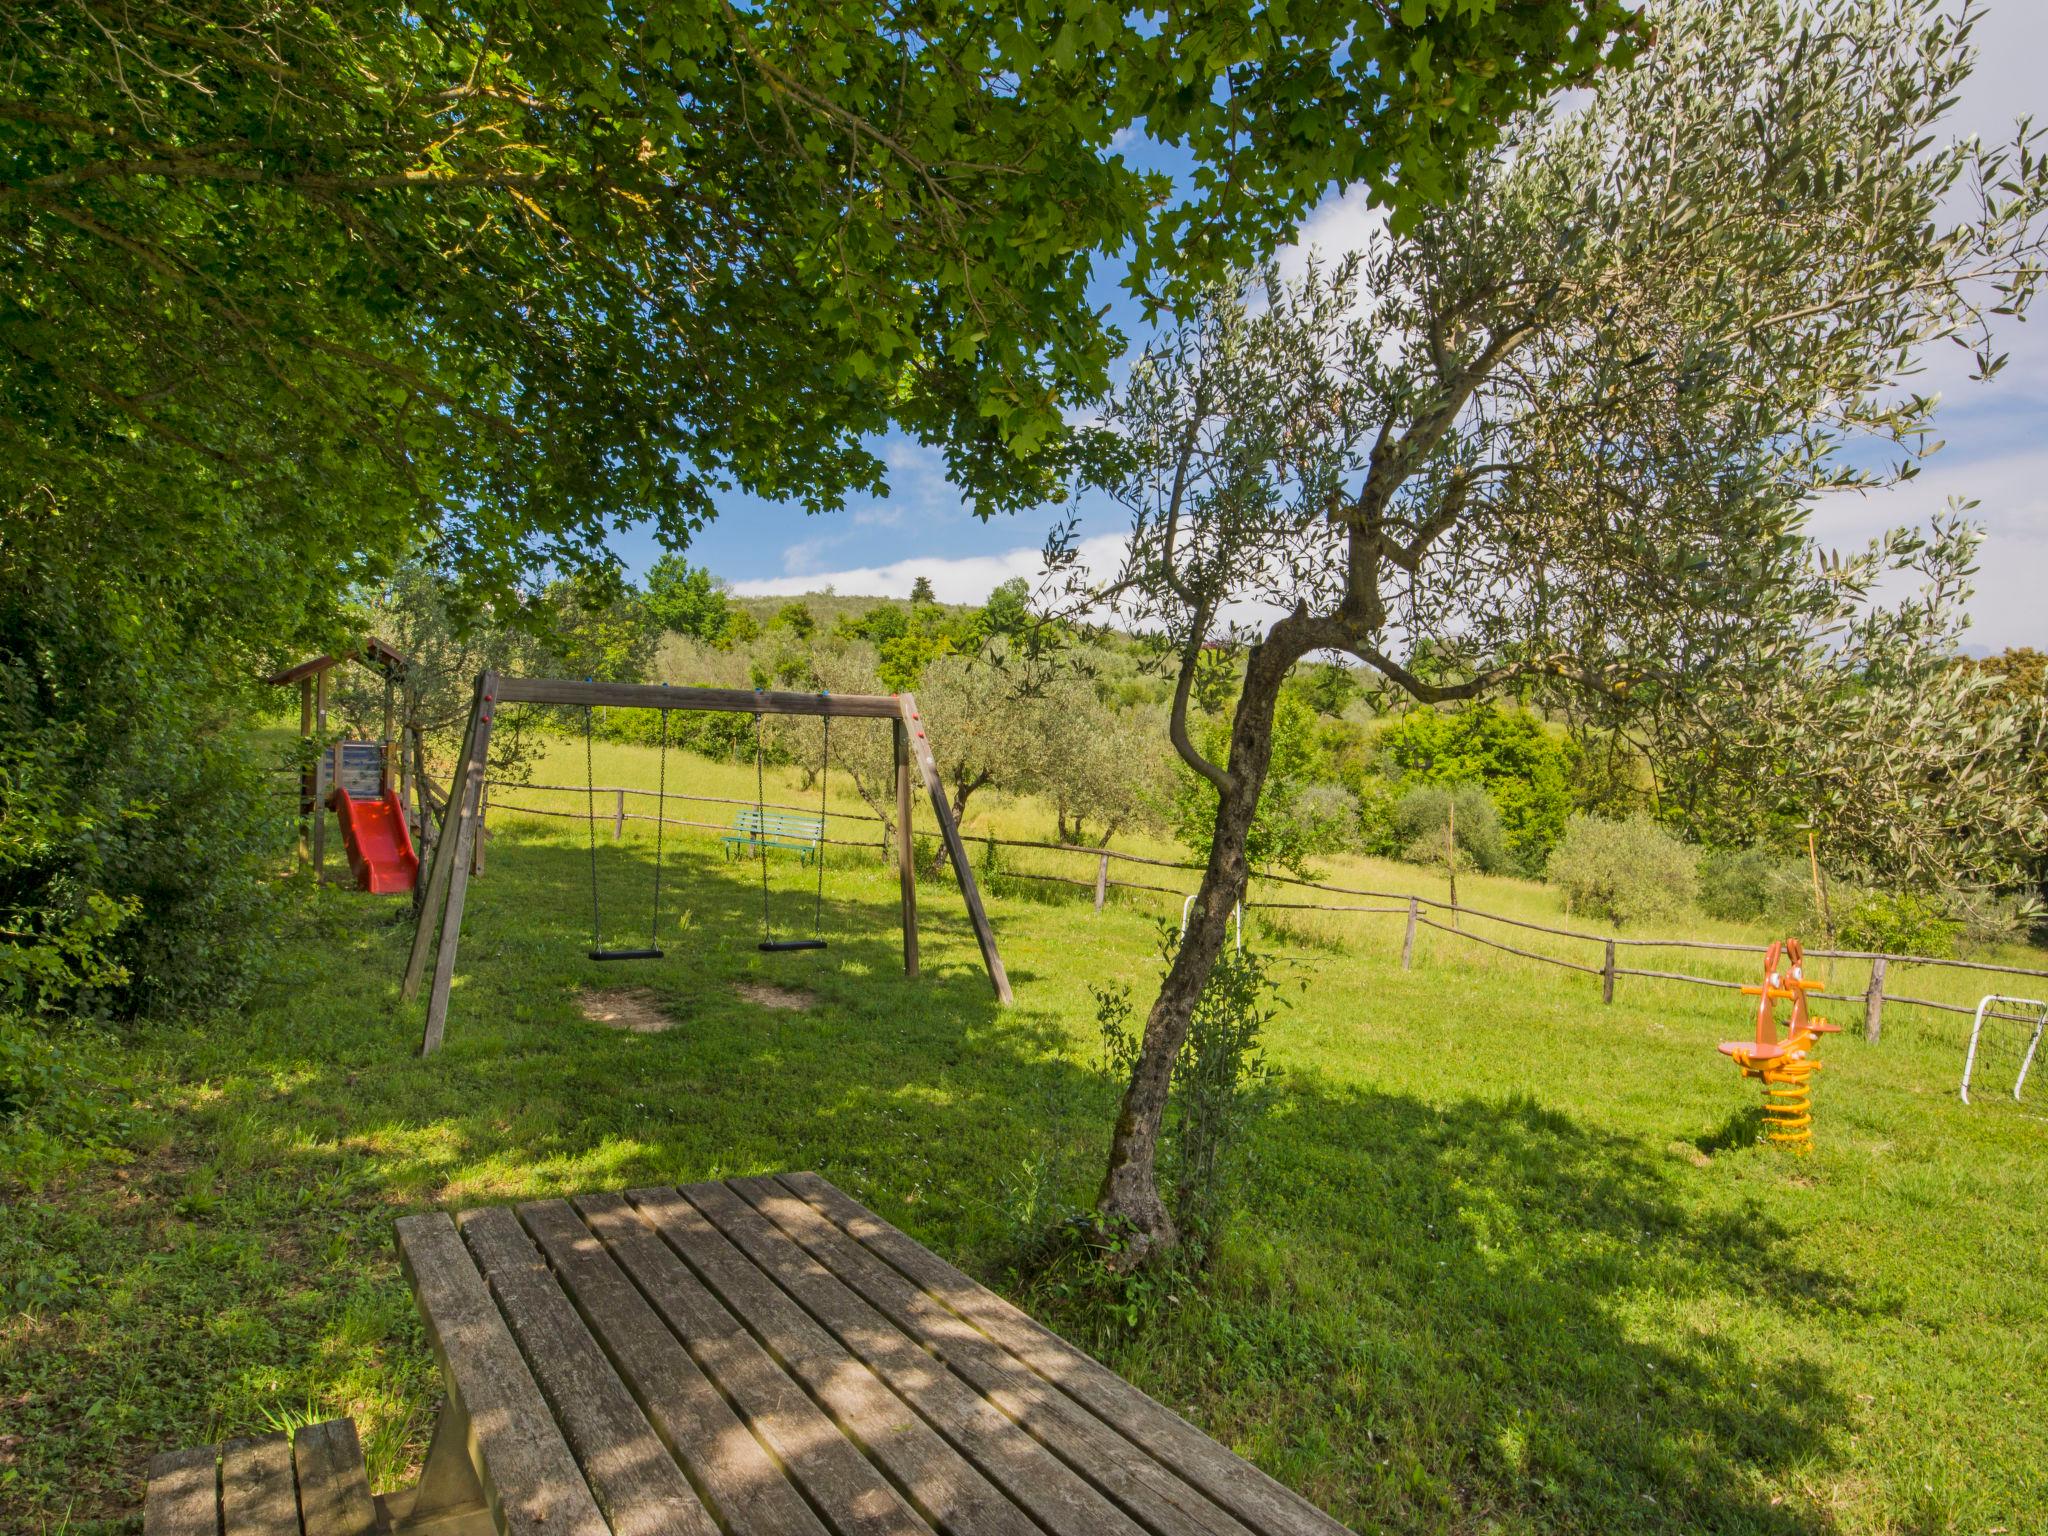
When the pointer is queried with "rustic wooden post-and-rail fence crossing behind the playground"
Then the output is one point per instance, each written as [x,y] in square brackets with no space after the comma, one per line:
[1406,902]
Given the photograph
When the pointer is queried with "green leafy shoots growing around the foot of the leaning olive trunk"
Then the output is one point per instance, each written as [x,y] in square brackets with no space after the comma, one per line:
[1222,1086]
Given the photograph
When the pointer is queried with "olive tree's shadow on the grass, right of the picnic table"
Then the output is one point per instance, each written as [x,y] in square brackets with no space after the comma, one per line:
[1437,1318]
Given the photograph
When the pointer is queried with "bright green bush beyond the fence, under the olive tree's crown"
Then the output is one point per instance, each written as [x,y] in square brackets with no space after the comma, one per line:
[1525,771]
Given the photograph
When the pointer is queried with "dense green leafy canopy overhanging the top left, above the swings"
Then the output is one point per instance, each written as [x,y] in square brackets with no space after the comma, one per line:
[288,286]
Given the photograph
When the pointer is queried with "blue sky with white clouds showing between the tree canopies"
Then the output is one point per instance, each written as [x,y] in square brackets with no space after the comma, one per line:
[1996,450]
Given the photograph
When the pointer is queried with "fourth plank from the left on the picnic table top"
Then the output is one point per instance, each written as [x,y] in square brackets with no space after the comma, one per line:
[853,1496]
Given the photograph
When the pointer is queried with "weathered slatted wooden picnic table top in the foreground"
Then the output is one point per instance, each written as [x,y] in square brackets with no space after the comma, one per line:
[767,1355]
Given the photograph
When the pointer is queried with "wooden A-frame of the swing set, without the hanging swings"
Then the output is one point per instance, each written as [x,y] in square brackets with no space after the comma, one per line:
[447,882]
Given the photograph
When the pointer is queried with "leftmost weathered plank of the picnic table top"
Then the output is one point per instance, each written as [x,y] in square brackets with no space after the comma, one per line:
[523,1465]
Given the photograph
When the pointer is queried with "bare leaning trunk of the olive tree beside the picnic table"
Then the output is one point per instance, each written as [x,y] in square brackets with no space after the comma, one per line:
[1129,1201]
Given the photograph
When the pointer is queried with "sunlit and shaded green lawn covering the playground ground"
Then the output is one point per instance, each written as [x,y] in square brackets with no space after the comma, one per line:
[1506,1261]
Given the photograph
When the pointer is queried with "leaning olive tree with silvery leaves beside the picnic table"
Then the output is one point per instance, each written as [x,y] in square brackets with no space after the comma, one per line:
[1566,431]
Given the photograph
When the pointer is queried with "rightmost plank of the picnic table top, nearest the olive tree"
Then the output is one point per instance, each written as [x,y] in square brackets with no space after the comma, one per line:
[1232,1482]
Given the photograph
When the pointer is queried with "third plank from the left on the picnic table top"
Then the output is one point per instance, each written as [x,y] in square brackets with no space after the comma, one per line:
[726,1463]
